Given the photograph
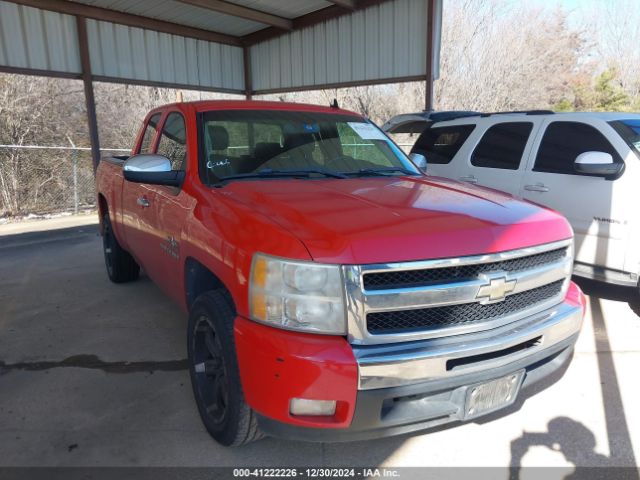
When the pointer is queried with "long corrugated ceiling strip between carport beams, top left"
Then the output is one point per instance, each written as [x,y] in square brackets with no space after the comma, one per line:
[181,13]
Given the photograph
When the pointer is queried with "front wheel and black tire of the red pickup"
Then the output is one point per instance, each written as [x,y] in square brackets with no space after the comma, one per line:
[215,376]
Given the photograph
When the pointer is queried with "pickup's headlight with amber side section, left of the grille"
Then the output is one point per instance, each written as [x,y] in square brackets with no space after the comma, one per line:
[296,295]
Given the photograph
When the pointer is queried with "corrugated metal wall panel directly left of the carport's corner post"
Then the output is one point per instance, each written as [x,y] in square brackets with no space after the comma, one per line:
[134,53]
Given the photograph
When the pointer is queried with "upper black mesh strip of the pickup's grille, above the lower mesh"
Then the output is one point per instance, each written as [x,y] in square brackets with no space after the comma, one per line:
[431,276]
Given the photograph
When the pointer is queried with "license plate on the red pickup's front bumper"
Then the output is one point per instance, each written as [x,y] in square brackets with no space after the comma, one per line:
[486,397]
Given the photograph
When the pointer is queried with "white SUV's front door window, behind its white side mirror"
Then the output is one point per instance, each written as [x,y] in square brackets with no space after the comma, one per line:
[563,141]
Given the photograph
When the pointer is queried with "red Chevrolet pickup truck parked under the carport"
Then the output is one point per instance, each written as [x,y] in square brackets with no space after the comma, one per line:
[334,291]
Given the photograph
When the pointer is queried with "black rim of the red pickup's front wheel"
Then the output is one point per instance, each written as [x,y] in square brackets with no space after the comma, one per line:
[210,371]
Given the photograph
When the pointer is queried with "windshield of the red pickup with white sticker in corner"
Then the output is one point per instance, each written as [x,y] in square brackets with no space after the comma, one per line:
[260,144]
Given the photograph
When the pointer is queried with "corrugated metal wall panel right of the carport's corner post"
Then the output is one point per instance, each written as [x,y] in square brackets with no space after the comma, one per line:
[383,41]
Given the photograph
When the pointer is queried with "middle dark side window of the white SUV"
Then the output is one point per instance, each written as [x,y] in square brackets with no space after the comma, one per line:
[502,146]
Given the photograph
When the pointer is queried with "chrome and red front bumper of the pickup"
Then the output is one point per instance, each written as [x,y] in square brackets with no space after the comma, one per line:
[392,389]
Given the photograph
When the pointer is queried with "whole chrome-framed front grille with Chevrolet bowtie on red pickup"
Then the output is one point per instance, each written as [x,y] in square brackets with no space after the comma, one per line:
[406,301]
